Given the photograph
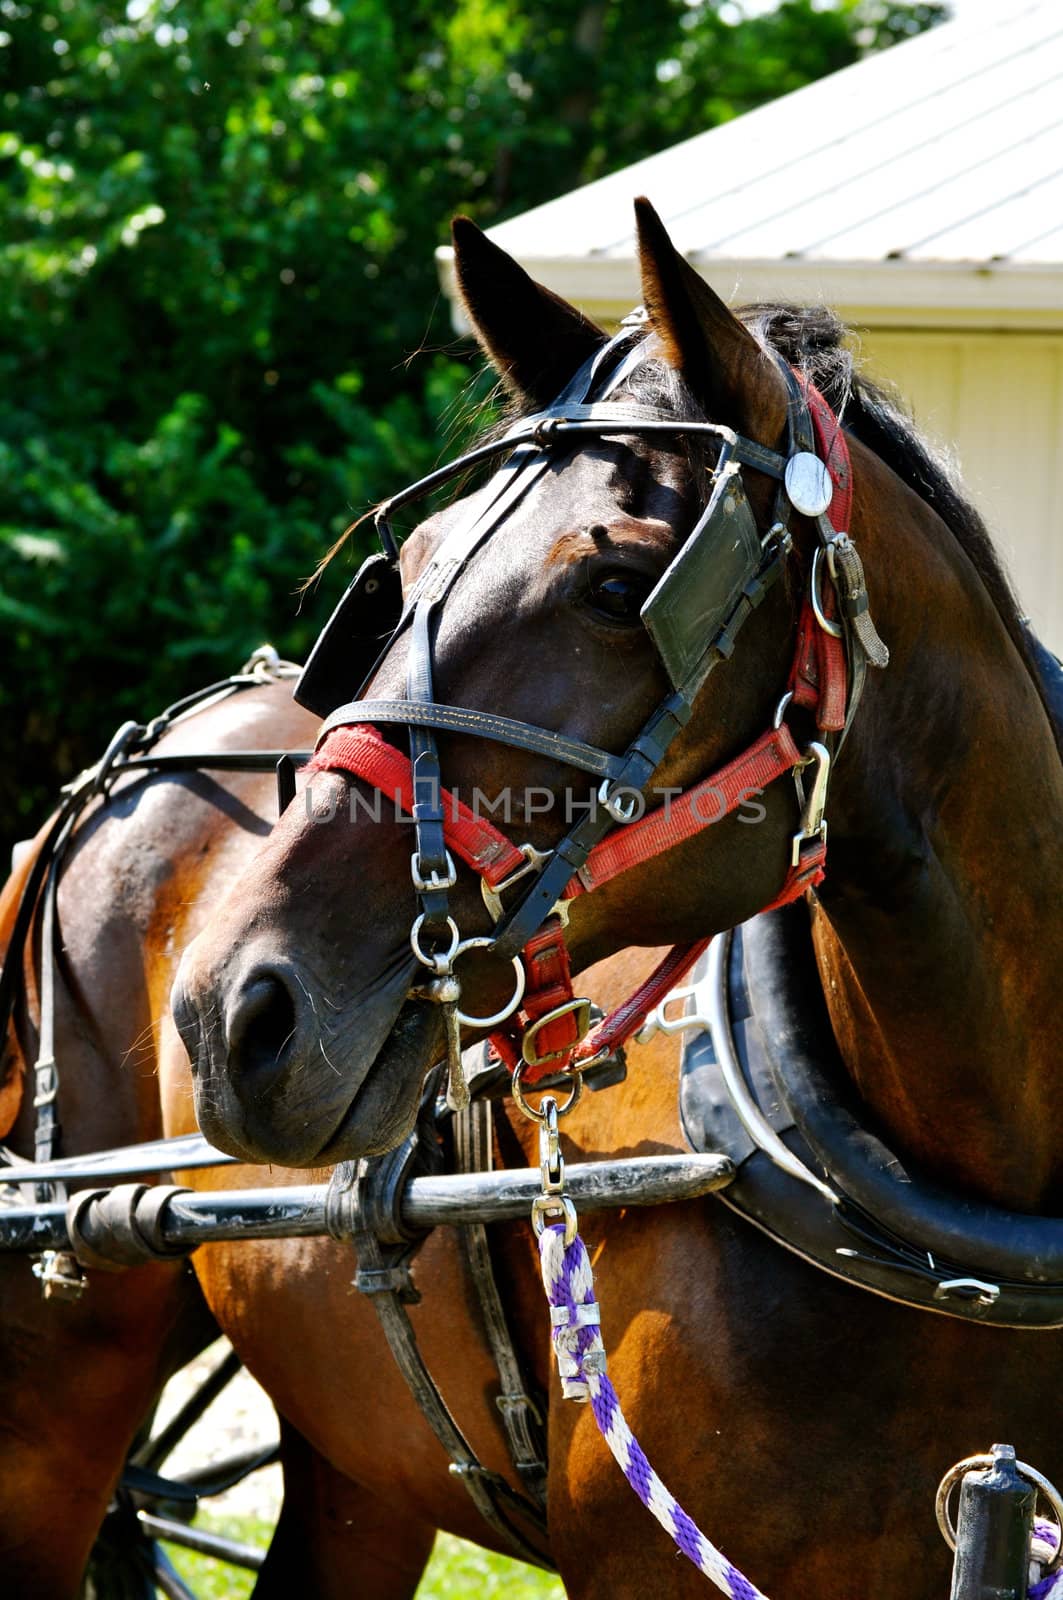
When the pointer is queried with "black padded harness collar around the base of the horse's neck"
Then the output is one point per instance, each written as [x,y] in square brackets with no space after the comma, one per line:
[763,1082]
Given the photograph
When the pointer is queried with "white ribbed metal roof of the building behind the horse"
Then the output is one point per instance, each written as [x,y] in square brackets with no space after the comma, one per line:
[944,150]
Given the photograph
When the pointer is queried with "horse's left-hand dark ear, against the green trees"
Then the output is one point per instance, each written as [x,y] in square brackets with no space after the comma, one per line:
[534,338]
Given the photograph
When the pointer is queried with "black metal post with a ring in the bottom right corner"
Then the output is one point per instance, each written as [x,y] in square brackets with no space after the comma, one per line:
[997,1513]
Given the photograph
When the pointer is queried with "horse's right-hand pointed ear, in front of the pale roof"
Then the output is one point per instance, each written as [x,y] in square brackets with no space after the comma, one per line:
[702,338]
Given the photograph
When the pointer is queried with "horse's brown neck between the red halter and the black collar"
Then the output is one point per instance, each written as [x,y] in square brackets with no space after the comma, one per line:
[937,934]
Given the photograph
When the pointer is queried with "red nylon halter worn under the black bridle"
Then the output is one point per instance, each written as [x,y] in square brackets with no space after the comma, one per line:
[817,681]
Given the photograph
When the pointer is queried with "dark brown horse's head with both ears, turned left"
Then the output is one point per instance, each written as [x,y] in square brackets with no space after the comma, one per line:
[303,1002]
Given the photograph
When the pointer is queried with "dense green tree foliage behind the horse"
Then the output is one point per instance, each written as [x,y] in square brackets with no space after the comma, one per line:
[217,231]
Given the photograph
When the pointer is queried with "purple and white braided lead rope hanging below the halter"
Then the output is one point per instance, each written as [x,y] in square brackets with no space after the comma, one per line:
[582,1364]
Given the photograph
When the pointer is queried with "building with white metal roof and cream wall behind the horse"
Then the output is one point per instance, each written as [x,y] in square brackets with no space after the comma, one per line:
[920,194]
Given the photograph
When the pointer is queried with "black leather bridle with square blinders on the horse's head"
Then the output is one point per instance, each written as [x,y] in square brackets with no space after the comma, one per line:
[694,615]
